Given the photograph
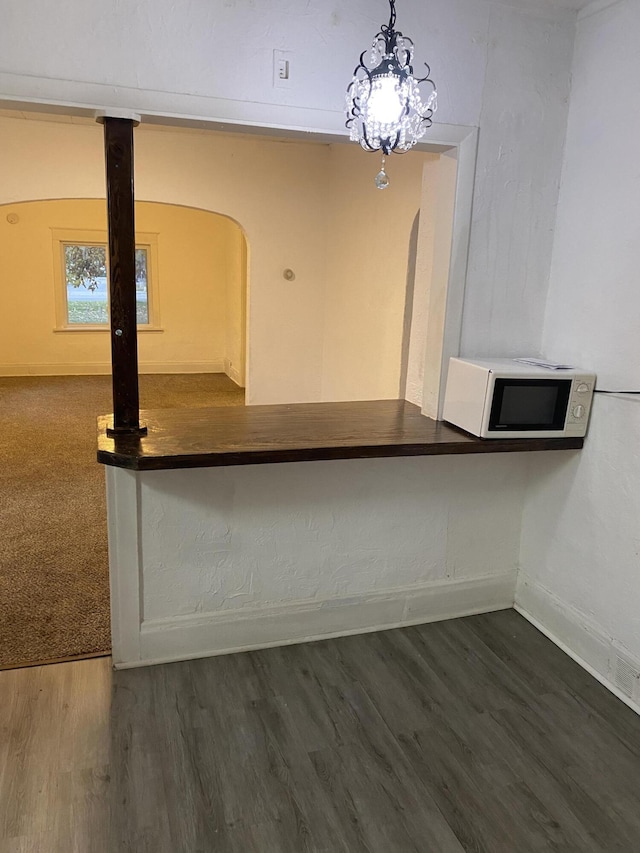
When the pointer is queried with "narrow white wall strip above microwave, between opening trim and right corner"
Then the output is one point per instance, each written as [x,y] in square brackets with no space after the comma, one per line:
[522,123]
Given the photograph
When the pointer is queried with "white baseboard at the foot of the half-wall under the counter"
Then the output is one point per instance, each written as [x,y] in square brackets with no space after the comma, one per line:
[207,634]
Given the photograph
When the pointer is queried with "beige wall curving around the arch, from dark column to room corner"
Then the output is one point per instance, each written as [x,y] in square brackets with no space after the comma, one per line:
[276,191]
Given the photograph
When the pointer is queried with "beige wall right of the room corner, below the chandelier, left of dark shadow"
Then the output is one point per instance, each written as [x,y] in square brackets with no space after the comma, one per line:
[368,234]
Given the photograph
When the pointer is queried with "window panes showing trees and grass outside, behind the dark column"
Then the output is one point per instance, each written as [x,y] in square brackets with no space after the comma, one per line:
[85,269]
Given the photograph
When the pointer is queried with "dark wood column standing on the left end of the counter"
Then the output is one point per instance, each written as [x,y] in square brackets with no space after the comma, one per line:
[118,143]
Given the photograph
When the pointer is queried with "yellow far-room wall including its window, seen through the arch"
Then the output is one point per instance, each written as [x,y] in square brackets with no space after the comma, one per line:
[195,281]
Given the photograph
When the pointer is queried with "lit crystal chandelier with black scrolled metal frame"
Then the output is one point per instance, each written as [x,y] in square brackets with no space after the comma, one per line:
[388,109]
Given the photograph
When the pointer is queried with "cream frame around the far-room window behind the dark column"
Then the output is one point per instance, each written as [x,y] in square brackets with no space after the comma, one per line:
[87,237]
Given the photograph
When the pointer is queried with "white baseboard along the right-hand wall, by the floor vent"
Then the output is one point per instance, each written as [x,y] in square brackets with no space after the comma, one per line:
[575,633]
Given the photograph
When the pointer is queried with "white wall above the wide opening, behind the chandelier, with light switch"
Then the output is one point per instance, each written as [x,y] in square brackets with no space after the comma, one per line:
[130,53]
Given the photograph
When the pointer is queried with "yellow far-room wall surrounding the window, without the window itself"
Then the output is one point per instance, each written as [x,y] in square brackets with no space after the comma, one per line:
[197,276]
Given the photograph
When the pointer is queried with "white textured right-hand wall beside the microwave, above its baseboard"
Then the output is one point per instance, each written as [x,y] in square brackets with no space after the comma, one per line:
[581,539]
